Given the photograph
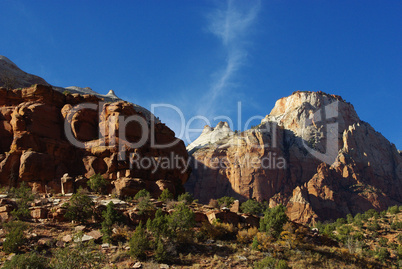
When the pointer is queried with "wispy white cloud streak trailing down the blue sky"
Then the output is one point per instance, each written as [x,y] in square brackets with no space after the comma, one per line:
[230,23]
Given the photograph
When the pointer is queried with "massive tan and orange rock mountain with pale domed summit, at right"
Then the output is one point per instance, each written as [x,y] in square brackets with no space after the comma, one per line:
[311,153]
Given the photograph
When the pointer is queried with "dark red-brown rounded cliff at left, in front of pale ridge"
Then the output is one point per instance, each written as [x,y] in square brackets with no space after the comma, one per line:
[36,148]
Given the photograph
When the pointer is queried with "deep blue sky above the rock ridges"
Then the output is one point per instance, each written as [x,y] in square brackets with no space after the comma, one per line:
[205,56]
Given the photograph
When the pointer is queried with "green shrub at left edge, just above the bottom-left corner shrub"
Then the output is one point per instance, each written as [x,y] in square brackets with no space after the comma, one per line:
[15,237]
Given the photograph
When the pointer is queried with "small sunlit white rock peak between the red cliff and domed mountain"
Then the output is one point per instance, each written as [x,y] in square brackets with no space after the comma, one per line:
[211,135]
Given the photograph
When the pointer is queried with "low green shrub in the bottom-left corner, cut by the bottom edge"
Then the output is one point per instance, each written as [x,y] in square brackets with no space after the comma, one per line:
[28,260]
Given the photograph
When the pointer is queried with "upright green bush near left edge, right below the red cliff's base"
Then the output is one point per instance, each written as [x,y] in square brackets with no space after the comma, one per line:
[23,195]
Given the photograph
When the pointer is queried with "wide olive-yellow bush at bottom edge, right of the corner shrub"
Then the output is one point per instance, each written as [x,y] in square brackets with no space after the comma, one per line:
[81,255]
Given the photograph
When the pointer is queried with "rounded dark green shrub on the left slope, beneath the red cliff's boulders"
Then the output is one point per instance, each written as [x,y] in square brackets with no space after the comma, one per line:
[80,207]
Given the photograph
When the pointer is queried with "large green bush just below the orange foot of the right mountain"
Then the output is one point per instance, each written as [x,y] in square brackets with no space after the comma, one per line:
[273,220]
